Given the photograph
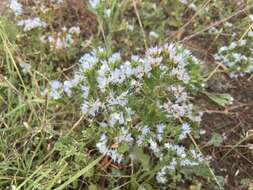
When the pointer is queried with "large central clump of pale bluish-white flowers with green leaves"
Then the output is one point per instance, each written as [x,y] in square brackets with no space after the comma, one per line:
[142,102]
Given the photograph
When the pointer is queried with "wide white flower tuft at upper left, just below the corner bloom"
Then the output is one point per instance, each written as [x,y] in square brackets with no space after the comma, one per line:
[30,24]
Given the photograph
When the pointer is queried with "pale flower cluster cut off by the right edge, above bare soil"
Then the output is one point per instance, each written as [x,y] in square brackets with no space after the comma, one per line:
[238,56]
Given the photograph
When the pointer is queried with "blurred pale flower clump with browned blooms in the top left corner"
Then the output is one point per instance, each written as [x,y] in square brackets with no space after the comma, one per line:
[63,39]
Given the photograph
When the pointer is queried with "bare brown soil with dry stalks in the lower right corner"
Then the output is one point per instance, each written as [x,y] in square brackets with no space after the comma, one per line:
[234,163]
